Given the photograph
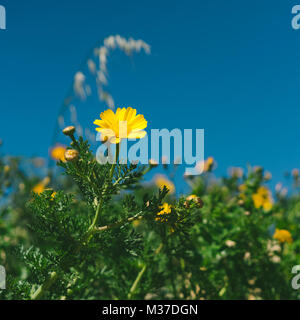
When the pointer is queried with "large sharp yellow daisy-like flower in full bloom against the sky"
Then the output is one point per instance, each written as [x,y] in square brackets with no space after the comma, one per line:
[122,124]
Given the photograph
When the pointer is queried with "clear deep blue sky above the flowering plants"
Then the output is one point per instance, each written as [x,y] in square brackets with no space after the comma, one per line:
[230,67]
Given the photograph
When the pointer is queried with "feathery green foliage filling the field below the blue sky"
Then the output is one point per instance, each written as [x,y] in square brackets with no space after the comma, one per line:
[96,234]
